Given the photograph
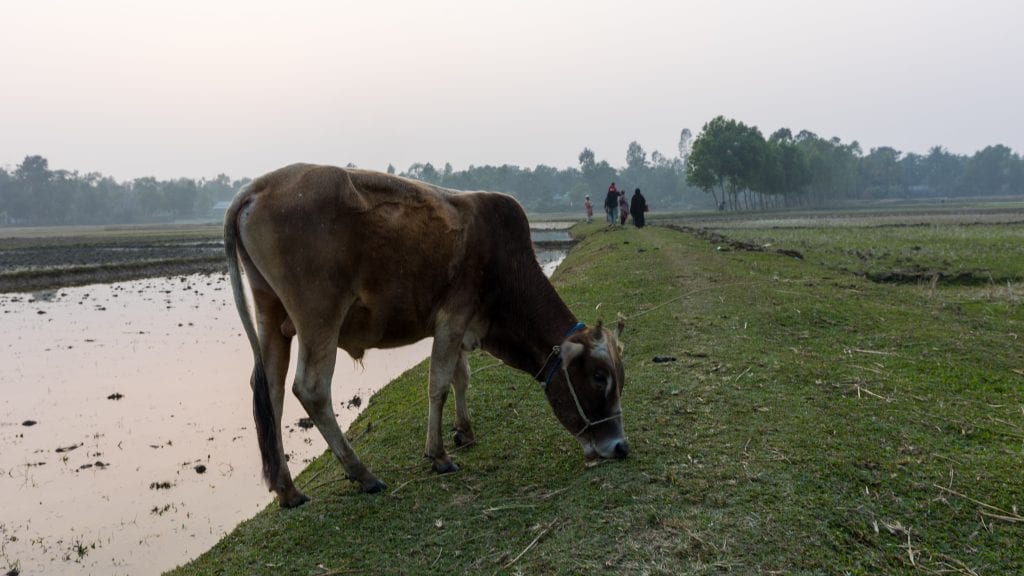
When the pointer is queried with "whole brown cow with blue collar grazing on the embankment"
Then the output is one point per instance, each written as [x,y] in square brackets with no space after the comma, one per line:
[359,260]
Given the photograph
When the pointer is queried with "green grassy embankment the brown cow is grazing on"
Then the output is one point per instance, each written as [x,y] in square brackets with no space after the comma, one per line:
[815,423]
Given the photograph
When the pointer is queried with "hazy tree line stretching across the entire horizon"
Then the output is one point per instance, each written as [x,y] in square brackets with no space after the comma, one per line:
[729,166]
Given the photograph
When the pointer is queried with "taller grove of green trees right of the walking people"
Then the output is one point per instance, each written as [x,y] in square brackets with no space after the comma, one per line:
[742,171]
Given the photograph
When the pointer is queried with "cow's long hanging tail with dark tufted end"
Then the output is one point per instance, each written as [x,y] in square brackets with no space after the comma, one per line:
[267,421]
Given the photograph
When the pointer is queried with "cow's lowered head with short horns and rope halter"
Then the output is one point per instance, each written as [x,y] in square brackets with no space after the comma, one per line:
[586,388]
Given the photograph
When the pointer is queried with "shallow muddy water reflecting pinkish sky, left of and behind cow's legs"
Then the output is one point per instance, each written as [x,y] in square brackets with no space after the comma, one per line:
[109,485]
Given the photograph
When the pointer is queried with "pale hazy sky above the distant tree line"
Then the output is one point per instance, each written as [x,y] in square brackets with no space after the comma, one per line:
[198,88]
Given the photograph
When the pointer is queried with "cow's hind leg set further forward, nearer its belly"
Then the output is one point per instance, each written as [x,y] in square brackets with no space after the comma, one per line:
[313,387]
